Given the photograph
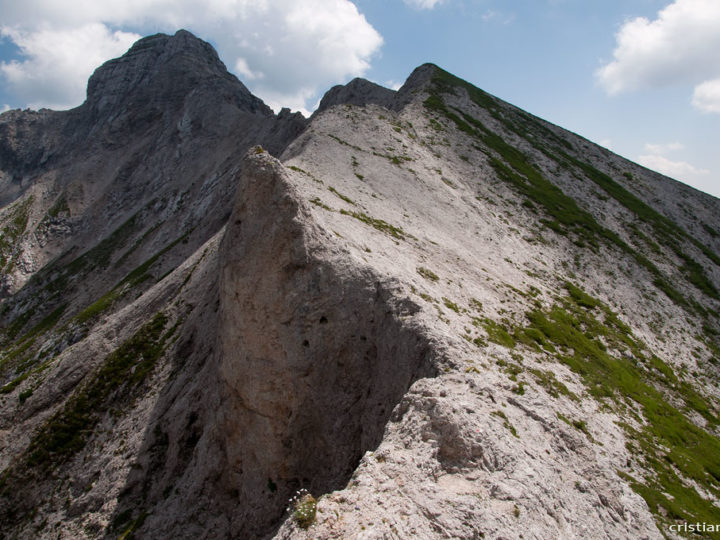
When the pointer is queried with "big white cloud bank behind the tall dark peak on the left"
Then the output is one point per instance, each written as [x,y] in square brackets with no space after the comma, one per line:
[284,50]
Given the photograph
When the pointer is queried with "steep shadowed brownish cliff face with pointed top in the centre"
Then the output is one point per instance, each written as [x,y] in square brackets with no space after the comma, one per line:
[316,351]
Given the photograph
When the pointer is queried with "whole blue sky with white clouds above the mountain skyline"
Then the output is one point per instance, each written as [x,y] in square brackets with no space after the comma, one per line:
[641,77]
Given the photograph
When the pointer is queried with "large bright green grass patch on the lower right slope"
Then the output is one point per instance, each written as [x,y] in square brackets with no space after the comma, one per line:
[676,452]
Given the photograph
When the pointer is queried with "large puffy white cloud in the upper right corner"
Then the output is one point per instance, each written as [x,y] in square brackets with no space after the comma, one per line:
[680,46]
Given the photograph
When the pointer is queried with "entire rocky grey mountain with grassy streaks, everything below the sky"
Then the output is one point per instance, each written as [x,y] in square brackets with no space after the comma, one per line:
[441,316]
